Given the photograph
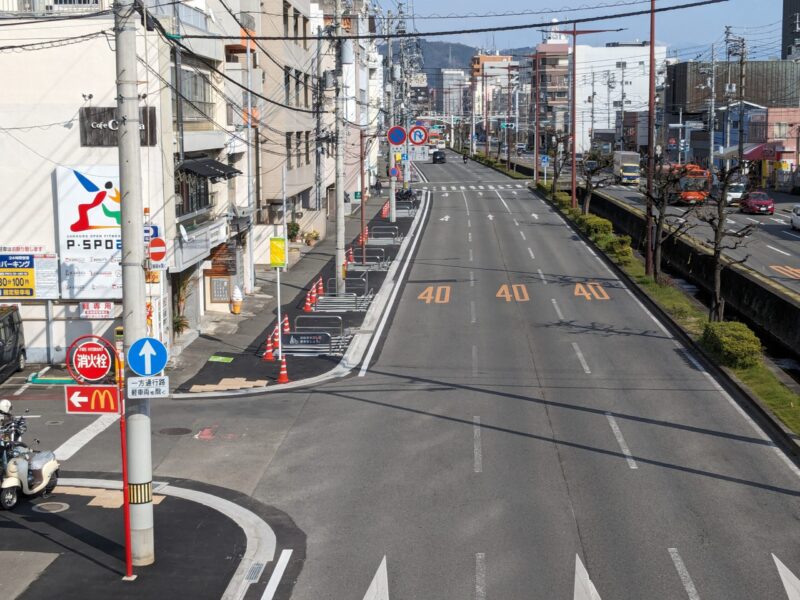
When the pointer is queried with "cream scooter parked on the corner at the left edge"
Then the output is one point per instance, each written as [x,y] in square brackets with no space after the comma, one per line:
[25,470]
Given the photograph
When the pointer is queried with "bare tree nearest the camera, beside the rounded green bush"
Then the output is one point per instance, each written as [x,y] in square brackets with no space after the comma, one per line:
[715,215]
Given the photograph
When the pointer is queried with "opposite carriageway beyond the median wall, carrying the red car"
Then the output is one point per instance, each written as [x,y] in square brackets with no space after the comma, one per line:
[773,248]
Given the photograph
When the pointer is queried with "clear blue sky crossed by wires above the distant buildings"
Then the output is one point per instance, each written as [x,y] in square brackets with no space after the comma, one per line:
[684,30]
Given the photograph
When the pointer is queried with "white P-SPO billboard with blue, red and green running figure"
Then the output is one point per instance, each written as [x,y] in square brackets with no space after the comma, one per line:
[89,233]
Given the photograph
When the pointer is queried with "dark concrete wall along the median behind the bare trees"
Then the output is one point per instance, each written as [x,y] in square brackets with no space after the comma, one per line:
[772,311]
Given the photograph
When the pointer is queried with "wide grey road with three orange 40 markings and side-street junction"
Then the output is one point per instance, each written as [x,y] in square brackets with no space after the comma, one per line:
[523,410]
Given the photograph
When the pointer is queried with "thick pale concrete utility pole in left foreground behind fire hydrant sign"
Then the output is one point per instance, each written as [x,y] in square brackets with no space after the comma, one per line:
[137,410]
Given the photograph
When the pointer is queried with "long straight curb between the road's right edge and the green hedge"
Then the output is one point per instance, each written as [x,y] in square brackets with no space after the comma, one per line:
[784,438]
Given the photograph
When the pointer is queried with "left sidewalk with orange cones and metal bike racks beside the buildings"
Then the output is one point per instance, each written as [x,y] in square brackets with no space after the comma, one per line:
[229,356]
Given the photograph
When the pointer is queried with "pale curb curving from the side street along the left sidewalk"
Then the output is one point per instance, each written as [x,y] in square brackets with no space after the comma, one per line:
[358,346]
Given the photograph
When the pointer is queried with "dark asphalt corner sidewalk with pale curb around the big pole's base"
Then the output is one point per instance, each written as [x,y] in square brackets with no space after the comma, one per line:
[71,546]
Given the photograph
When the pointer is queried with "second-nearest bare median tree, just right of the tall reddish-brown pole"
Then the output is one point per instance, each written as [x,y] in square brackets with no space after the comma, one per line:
[667,188]
